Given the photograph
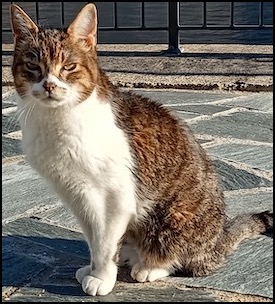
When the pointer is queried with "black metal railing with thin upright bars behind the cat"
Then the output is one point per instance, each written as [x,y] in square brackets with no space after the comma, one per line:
[173,26]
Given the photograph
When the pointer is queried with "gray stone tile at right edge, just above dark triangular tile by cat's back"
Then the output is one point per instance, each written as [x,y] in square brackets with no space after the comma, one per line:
[257,157]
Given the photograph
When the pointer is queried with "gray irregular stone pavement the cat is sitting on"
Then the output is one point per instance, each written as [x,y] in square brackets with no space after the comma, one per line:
[43,245]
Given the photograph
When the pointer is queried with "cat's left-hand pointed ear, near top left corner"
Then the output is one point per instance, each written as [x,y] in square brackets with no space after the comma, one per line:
[21,24]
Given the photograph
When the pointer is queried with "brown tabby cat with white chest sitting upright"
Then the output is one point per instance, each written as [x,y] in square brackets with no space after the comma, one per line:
[138,182]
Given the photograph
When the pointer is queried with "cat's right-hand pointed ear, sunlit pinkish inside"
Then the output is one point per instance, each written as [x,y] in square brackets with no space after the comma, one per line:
[84,26]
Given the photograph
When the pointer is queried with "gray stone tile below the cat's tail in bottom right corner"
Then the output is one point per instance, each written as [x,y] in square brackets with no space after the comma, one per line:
[249,270]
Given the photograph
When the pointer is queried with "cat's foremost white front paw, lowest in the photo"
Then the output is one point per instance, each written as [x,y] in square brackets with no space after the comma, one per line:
[94,286]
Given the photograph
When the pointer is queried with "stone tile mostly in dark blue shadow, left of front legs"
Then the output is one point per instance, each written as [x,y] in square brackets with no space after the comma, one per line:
[31,249]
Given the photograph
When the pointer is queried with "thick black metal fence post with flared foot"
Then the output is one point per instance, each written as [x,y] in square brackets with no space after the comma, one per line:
[173,29]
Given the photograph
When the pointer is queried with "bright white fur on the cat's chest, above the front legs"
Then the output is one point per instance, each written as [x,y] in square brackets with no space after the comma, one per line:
[77,146]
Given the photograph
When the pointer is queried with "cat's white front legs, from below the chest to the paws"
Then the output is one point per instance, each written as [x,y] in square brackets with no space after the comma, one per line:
[104,220]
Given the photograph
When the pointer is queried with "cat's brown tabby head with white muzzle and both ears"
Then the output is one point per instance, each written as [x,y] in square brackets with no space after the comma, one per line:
[54,67]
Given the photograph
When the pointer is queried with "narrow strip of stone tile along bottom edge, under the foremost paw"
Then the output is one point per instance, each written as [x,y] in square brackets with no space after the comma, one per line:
[142,293]
